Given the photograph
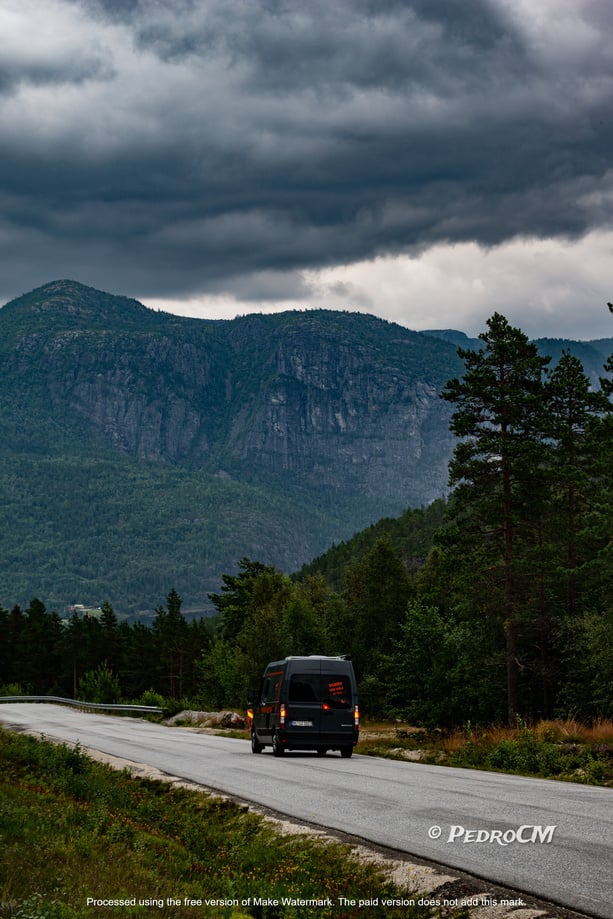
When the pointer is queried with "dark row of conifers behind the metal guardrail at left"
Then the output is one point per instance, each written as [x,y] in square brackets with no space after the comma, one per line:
[100,658]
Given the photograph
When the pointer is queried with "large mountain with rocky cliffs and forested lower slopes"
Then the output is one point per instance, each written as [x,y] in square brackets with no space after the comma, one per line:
[141,451]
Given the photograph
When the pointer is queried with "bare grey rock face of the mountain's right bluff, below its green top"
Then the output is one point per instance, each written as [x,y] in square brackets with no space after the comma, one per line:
[331,416]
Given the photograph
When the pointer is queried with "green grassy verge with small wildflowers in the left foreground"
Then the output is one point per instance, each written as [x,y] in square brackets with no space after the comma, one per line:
[73,829]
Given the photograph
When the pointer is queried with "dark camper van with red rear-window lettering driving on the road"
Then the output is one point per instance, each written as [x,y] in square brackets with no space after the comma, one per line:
[306,703]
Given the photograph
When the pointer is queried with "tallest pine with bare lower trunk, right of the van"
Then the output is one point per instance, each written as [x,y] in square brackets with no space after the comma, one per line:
[497,468]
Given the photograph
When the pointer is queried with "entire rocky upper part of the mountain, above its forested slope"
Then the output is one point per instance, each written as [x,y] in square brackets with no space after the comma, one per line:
[325,401]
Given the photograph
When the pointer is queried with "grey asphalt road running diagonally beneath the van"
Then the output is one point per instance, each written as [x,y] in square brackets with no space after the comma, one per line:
[398,805]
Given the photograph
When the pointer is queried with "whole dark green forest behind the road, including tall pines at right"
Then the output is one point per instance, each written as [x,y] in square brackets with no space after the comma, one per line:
[492,605]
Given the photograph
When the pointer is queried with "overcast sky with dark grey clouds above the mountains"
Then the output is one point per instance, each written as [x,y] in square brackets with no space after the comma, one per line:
[428,161]
